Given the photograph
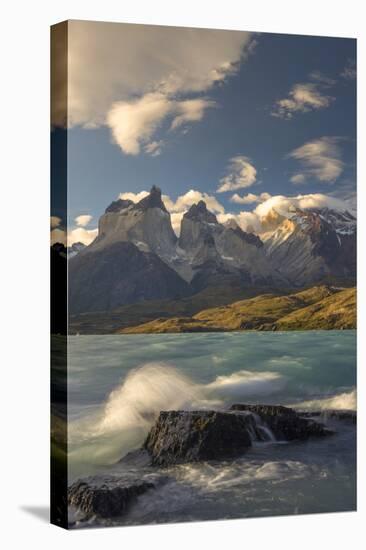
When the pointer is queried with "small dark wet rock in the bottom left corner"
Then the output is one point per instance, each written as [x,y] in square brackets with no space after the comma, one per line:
[105,496]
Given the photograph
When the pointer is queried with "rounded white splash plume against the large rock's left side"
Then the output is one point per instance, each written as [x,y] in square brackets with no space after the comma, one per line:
[123,422]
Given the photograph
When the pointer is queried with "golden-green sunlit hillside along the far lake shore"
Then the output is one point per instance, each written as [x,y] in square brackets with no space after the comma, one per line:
[320,307]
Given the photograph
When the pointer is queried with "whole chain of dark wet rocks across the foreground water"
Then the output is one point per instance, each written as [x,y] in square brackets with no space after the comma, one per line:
[180,437]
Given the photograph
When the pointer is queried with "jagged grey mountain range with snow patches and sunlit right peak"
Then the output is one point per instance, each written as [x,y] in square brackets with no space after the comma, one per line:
[137,257]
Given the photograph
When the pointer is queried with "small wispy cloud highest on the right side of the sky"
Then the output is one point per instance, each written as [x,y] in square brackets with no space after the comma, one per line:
[302,98]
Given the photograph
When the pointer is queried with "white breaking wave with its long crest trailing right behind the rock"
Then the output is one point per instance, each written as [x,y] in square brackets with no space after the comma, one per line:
[122,423]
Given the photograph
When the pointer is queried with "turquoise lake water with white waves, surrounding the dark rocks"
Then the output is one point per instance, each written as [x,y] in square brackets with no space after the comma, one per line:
[118,384]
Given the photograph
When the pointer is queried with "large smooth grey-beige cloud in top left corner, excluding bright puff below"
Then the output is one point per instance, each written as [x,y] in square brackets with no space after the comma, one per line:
[111,62]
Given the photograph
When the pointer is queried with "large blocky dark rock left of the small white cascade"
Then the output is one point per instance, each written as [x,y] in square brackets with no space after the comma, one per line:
[191,436]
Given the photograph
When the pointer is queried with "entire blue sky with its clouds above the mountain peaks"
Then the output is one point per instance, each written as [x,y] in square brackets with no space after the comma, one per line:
[276,118]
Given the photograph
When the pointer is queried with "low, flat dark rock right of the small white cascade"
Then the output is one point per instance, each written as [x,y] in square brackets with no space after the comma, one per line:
[284,422]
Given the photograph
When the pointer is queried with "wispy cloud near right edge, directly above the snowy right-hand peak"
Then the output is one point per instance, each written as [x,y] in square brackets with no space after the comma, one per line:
[320,159]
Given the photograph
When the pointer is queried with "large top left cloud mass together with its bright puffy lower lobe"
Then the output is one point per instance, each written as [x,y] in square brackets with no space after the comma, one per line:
[143,74]
